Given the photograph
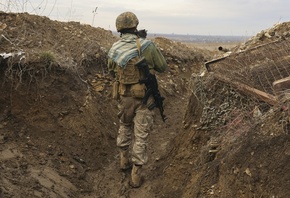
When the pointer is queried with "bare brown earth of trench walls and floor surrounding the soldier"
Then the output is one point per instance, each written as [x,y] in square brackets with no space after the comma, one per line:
[58,122]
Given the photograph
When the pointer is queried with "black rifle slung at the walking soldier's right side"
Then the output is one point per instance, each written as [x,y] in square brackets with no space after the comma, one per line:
[151,84]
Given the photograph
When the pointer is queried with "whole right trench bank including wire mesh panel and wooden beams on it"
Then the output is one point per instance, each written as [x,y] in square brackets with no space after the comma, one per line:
[235,107]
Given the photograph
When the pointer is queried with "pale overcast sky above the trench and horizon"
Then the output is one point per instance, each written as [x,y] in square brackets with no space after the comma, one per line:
[197,17]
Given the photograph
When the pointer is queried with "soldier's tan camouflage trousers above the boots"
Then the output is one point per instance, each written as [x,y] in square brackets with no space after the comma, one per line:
[136,122]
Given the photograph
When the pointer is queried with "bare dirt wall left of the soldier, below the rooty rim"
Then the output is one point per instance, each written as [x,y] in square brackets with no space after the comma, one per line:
[57,121]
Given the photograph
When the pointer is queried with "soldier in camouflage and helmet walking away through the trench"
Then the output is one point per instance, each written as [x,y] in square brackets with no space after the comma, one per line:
[134,116]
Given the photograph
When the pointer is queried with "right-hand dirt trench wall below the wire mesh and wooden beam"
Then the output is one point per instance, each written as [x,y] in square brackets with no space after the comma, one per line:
[252,150]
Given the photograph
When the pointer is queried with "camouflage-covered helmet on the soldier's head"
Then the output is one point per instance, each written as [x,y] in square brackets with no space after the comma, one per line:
[126,20]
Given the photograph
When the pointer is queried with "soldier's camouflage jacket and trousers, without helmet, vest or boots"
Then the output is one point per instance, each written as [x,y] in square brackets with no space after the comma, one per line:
[133,115]
